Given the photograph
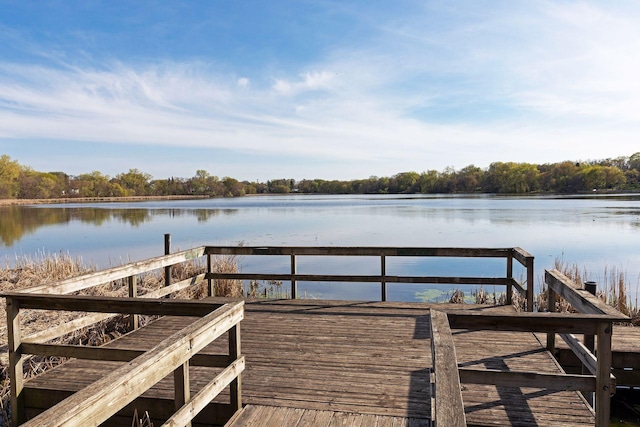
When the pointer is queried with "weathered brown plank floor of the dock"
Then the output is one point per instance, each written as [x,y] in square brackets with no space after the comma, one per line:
[368,359]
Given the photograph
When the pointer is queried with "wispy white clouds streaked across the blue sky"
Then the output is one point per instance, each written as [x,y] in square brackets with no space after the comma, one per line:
[538,82]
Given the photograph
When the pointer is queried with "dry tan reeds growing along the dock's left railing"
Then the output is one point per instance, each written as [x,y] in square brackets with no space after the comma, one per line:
[31,271]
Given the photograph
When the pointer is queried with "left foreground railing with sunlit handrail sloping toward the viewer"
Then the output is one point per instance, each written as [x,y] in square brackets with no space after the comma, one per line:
[104,398]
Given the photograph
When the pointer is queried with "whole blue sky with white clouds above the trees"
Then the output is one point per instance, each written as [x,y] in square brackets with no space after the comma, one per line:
[327,89]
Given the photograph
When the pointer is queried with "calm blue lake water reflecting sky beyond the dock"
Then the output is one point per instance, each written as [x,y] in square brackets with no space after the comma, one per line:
[594,232]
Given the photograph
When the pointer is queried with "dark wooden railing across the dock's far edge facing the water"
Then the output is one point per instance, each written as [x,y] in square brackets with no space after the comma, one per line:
[521,256]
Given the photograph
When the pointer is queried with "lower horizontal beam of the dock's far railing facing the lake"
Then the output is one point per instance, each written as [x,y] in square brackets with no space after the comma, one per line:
[362,278]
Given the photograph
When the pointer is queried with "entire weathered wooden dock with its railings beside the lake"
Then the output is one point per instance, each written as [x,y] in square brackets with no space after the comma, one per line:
[311,362]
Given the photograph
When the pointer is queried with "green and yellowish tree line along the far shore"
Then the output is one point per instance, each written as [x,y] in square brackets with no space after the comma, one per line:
[614,174]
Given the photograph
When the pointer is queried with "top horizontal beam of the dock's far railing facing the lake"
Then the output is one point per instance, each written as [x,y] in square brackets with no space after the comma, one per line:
[359,251]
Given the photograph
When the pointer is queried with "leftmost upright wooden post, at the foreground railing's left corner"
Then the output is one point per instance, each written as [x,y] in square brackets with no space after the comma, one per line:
[16,361]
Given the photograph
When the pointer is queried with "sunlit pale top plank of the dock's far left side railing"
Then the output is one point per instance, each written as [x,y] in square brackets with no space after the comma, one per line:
[93,279]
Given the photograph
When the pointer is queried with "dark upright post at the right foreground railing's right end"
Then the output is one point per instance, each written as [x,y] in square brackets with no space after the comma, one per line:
[603,376]
